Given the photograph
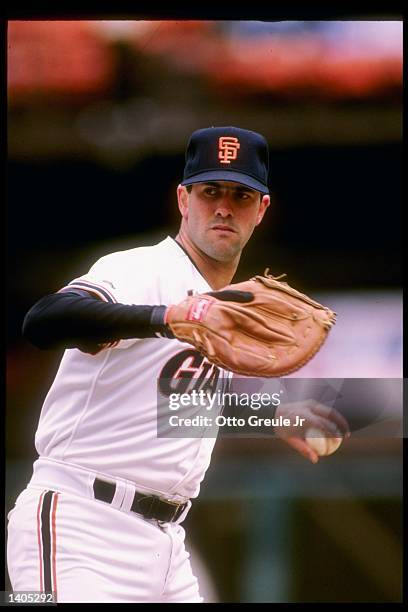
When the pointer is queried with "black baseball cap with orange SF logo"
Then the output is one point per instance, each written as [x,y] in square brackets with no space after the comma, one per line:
[227,154]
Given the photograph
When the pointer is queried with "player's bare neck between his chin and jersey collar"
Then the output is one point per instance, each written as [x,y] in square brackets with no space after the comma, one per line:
[218,274]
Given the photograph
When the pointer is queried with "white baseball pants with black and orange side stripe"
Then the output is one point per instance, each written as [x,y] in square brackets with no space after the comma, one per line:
[85,550]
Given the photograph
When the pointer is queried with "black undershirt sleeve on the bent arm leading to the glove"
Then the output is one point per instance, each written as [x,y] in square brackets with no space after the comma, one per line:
[78,320]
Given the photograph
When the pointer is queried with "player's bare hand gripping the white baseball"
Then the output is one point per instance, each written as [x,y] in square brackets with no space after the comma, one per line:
[315,415]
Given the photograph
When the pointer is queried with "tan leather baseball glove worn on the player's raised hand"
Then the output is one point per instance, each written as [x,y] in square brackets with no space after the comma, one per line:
[261,327]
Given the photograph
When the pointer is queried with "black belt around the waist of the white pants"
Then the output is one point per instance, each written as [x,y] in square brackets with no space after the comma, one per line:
[149,506]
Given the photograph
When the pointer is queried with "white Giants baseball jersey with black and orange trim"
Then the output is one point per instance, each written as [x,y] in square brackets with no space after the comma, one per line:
[101,410]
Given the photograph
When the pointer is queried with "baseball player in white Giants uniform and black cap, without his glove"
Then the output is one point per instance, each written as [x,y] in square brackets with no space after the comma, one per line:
[100,519]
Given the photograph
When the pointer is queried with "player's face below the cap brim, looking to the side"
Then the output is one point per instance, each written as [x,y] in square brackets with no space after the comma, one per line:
[220,216]
